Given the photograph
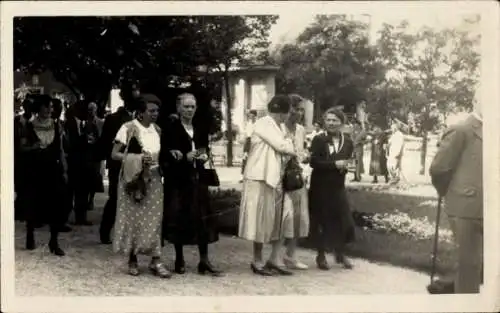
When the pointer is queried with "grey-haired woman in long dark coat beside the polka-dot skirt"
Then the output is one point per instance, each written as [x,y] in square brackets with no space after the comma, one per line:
[188,217]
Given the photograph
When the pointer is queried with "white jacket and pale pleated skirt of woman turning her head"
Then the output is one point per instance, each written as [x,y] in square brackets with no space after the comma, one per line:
[261,209]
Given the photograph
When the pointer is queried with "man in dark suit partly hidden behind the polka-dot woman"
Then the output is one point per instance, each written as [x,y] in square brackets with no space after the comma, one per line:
[110,128]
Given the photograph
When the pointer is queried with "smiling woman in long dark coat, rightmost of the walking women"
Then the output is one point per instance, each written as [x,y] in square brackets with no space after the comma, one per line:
[330,214]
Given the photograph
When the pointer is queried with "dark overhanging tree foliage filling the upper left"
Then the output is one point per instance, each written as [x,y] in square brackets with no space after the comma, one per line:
[92,54]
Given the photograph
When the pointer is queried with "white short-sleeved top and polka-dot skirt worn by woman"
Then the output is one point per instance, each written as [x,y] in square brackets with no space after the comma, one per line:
[138,225]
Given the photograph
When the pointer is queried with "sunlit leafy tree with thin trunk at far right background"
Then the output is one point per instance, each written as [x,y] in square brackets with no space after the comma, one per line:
[430,74]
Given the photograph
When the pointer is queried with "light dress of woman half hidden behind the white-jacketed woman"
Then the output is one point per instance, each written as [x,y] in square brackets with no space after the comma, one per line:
[295,222]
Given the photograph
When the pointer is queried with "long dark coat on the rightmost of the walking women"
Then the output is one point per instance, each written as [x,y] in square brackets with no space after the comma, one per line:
[331,218]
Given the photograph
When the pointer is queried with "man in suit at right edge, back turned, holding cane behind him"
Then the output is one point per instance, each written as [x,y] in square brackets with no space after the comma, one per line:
[457,175]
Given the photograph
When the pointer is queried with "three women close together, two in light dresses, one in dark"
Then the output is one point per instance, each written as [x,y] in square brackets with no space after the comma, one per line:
[271,212]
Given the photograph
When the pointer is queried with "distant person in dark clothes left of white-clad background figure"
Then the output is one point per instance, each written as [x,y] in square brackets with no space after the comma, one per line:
[378,158]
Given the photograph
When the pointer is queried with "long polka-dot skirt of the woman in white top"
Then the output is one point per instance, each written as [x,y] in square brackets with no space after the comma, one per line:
[138,226]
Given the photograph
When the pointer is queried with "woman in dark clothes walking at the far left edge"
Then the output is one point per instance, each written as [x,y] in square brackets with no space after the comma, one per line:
[45,163]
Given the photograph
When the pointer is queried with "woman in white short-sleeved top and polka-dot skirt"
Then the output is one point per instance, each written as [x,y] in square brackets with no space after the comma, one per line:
[138,223]
